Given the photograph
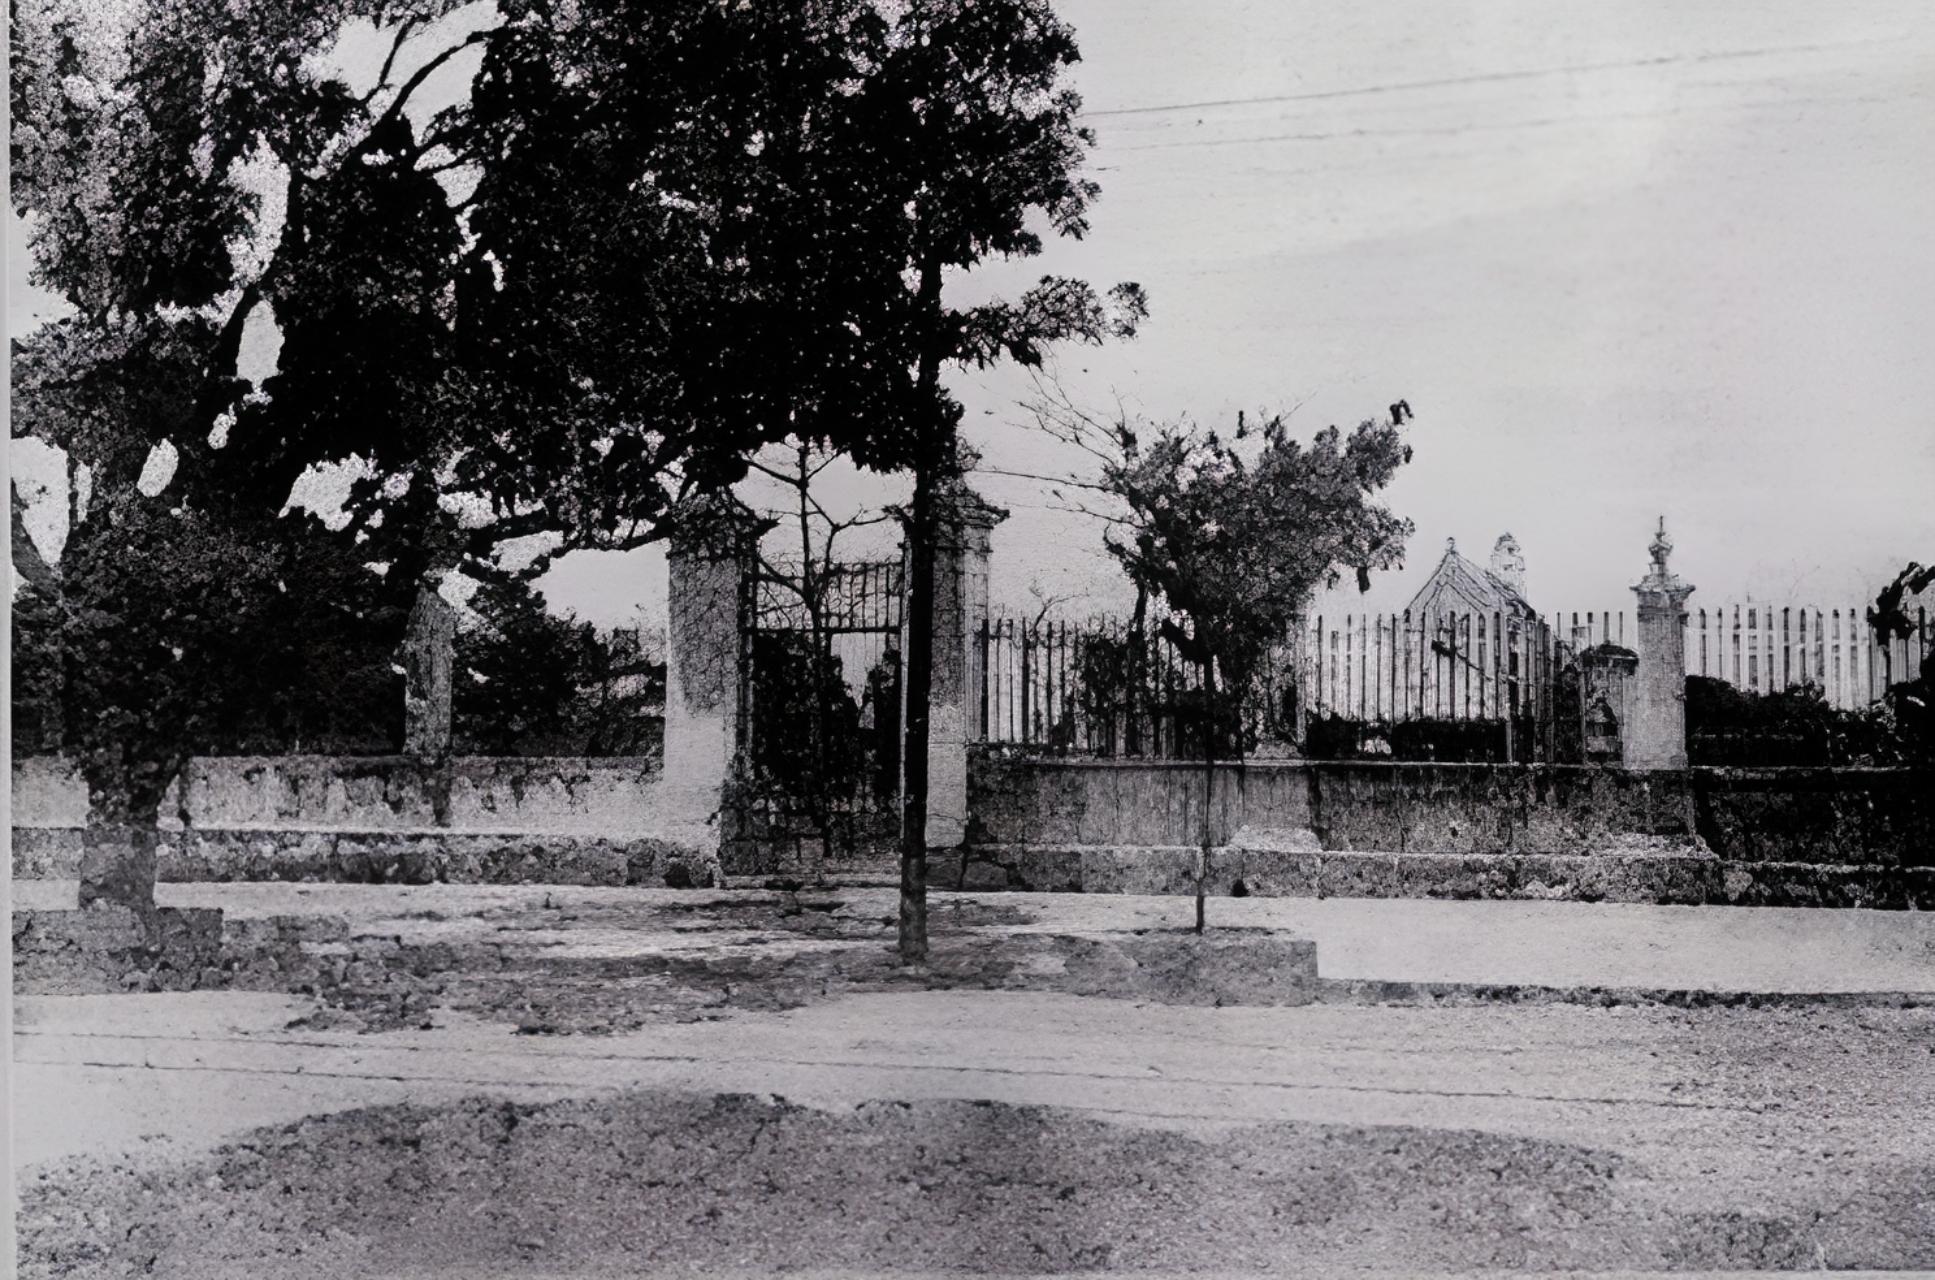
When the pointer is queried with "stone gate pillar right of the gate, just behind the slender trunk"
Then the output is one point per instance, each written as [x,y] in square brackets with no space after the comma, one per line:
[965,530]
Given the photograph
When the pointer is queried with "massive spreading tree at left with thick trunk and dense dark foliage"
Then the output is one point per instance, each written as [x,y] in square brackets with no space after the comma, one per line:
[624,257]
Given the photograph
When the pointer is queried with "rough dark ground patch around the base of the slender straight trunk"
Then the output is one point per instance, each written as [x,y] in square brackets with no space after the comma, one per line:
[759,956]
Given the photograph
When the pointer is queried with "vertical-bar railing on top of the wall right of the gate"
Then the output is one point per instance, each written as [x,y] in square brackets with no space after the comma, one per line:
[1102,688]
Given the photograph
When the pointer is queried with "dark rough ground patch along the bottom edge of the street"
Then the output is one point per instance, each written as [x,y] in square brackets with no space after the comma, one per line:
[645,1182]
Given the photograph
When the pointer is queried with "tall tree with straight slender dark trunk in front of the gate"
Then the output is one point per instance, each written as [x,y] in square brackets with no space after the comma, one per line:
[968,150]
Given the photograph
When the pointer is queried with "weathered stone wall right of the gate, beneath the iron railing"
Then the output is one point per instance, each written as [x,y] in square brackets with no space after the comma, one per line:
[1841,816]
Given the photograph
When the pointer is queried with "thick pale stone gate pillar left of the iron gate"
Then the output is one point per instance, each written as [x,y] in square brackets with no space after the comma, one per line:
[707,561]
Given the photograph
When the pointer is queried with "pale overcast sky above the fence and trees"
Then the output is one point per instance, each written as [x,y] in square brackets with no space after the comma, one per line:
[1624,260]
